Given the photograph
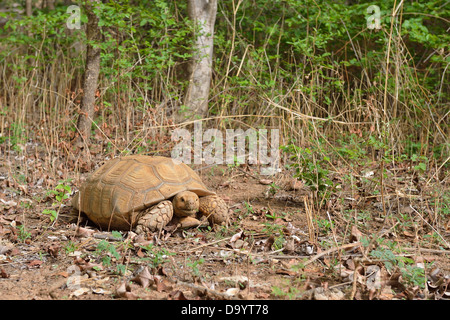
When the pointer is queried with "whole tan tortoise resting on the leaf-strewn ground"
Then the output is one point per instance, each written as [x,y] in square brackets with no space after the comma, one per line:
[143,193]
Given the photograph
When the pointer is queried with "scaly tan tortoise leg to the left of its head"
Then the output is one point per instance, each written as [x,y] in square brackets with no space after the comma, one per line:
[155,218]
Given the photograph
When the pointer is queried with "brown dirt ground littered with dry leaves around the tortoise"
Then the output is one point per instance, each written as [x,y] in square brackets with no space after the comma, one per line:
[277,244]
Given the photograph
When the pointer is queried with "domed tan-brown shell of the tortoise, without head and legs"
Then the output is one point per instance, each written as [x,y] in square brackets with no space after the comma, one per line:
[116,194]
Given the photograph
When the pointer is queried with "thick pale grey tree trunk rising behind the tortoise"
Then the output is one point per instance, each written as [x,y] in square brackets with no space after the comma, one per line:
[203,14]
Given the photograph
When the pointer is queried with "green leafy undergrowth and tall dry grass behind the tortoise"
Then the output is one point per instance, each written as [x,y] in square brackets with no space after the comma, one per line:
[345,93]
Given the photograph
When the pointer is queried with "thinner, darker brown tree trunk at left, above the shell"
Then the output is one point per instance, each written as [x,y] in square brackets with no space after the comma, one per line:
[92,71]
